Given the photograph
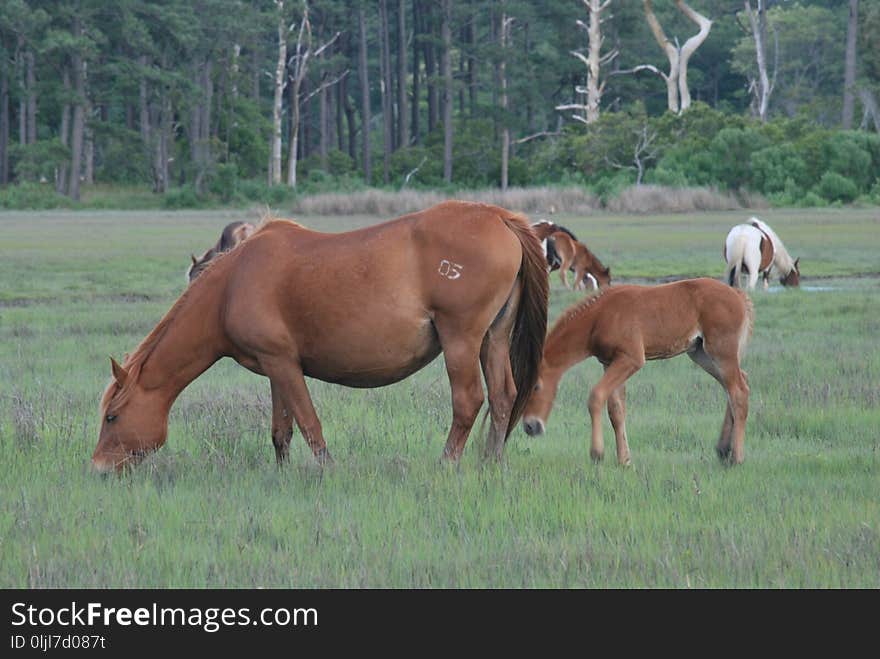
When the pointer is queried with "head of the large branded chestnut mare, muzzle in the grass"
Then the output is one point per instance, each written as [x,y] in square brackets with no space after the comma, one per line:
[134,422]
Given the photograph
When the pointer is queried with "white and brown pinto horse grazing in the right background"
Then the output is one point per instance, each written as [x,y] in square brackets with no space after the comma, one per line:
[755,249]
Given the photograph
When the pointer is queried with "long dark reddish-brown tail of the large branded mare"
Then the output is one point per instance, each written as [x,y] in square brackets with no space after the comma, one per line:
[530,328]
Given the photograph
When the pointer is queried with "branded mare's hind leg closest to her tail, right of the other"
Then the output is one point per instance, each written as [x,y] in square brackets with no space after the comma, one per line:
[495,360]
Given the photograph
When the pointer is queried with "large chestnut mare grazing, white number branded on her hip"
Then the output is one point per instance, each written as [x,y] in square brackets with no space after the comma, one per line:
[364,308]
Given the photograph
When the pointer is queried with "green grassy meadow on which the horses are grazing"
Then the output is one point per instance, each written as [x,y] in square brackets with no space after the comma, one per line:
[212,509]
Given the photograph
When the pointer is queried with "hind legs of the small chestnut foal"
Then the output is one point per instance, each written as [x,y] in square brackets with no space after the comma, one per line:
[725,369]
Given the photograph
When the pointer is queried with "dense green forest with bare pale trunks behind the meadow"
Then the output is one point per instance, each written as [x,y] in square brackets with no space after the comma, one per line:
[207,93]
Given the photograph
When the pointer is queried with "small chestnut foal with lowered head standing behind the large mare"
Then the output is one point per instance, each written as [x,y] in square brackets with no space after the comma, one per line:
[626,325]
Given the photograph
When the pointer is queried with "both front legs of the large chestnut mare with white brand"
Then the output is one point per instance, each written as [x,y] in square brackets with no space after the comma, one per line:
[290,397]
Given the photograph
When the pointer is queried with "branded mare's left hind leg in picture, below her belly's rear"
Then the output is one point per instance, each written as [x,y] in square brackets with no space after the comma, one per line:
[462,353]
